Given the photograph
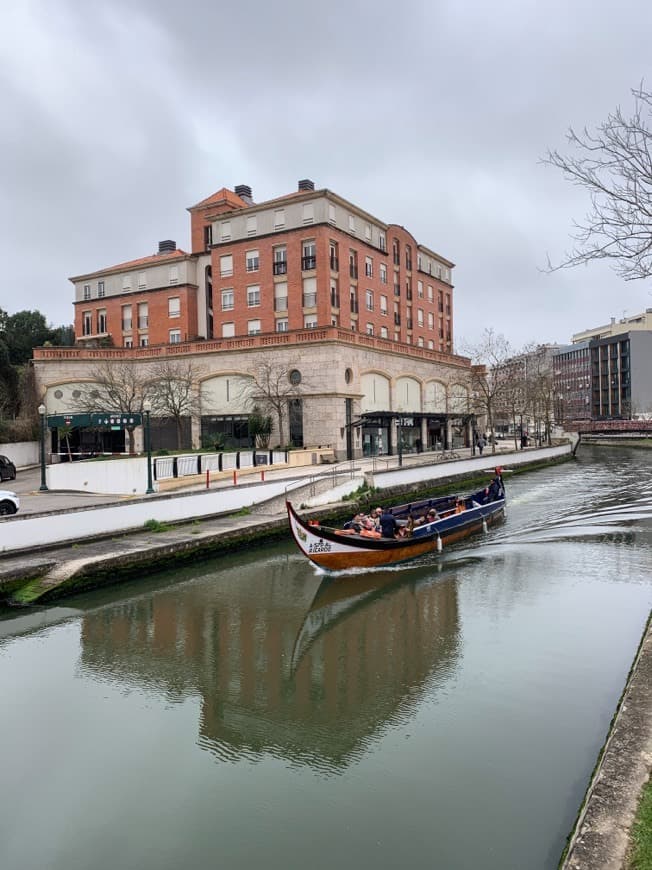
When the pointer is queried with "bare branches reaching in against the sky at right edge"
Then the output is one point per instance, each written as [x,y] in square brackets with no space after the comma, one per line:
[614,164]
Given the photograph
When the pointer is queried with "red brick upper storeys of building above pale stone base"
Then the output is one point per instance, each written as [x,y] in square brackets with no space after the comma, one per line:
[309,259]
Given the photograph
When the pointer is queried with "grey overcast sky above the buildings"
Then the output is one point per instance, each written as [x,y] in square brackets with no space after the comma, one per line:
[118,115]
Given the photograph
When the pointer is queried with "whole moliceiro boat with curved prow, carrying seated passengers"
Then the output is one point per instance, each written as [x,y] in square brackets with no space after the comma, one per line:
[423,527]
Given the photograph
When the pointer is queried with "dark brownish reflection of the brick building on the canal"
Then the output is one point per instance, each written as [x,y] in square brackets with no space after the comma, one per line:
[284,662]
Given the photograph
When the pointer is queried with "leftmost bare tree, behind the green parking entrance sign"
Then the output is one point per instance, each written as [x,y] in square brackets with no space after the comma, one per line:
[116,387]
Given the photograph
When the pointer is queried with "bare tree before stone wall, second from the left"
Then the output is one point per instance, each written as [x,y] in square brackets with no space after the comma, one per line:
[173,386]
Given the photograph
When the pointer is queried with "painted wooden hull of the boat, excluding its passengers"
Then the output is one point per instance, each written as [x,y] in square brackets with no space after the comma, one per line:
[340,552]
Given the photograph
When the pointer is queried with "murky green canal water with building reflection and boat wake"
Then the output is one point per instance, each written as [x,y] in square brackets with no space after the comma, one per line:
[252,712]
